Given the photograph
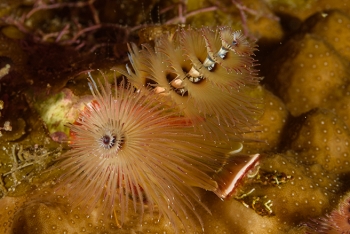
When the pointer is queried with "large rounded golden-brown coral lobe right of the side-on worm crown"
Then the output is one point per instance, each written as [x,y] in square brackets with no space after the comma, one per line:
[319,66]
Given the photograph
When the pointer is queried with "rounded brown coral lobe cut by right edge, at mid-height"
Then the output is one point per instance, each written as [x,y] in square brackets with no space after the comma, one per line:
[329,137]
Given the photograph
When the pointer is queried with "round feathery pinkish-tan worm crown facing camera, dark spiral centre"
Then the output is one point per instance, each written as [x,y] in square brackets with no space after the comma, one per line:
[129,145]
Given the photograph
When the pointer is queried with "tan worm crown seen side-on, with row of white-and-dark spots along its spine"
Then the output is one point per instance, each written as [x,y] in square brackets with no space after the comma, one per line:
[207,73]
